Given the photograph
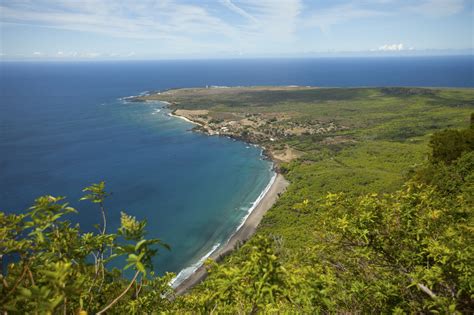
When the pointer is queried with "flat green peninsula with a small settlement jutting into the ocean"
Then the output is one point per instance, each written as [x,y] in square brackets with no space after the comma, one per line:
[289,121]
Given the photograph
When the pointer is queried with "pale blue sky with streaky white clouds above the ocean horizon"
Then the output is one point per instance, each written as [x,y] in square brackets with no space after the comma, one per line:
[163,29]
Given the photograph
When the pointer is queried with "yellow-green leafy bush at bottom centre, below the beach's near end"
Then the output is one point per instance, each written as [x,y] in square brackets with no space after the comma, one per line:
[255,284]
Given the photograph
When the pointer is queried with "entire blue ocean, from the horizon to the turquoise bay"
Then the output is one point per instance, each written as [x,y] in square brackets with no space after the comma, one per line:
[64,126]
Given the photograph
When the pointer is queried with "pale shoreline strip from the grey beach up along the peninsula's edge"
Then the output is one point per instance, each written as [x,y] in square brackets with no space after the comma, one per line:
[245,230]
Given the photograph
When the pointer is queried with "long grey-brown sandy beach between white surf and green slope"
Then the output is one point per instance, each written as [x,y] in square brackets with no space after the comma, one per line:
[244,233]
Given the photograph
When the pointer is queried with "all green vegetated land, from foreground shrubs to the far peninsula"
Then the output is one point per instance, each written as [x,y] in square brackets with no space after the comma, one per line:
[378,217]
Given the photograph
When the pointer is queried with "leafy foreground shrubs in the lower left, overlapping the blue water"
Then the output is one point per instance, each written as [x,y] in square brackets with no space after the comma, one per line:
[51,266]
